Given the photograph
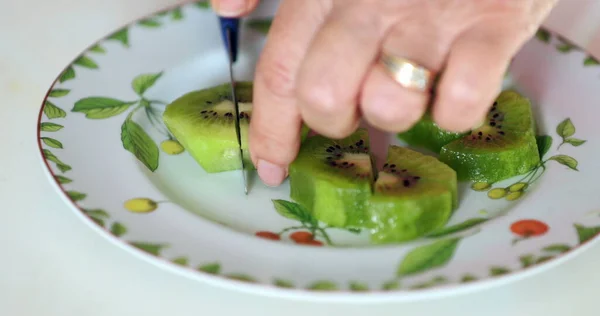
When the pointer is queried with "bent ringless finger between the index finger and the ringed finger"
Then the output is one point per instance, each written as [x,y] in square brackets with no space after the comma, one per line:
[334,69]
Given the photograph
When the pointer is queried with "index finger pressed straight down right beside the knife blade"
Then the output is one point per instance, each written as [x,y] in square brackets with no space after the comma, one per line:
[276,122]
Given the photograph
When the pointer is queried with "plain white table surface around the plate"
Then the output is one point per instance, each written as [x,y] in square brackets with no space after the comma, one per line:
[51,264]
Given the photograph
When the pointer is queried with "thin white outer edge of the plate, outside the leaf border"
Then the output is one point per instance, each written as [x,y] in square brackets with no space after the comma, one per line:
[301,294]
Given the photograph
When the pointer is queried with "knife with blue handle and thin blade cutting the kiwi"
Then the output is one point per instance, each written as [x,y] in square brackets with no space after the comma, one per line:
[229,31]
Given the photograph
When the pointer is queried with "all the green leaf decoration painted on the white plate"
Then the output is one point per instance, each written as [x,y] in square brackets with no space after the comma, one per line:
[425,258]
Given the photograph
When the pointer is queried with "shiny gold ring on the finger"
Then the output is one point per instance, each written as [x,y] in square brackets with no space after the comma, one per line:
[407,73]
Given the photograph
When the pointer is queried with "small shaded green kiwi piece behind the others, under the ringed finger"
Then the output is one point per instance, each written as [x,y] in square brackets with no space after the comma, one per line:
[427,134]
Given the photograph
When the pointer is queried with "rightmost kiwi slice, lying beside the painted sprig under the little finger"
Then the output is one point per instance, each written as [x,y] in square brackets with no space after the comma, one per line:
[503,147]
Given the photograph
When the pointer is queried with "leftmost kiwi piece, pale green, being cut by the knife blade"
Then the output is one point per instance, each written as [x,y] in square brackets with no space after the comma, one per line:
[203,122]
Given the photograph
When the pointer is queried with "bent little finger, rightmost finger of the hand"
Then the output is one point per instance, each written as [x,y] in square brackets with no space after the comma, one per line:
[473,76]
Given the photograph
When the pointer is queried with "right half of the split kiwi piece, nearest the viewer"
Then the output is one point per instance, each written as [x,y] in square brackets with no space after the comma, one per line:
[414,194]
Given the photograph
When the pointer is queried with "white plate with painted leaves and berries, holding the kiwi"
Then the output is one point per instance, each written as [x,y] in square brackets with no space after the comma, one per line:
[202,226]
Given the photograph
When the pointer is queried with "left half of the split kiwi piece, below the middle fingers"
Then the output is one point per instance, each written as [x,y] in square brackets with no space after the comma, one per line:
[333,178]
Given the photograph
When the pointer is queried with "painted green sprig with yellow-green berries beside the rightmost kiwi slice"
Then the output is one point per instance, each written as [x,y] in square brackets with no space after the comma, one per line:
[566,130]
